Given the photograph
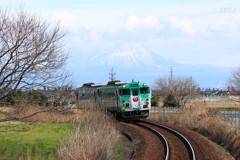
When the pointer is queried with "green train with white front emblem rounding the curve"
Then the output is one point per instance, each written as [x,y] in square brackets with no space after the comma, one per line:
[126,101]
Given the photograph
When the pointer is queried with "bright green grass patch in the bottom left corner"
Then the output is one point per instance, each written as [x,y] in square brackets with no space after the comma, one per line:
[36,141]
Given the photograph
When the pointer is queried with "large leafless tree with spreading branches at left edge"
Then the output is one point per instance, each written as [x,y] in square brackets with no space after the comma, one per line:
[31,52]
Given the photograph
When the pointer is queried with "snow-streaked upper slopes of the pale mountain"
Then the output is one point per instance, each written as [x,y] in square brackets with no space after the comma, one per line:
[124,55]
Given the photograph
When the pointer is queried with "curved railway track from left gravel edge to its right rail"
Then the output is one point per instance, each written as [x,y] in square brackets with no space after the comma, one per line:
[159,142]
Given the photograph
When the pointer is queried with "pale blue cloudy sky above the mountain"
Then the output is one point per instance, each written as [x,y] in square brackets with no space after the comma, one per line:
[191,32]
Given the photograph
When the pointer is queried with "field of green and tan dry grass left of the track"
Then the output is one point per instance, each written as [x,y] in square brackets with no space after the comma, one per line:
[72,134]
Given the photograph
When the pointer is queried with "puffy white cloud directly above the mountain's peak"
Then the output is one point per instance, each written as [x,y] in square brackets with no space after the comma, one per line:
[146,22]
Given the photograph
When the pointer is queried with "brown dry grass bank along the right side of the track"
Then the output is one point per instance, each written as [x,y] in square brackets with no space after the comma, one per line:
[208,122]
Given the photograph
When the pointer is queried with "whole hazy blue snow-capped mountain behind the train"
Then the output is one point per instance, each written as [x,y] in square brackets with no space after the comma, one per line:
[133,61]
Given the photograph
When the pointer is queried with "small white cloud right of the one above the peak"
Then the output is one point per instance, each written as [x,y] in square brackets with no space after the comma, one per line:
[184,24]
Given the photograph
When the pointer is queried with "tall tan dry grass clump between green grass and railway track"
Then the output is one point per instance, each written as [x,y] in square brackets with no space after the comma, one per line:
[94,138]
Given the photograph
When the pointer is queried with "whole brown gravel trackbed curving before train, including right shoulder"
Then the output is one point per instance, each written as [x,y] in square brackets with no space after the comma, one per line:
[148,145]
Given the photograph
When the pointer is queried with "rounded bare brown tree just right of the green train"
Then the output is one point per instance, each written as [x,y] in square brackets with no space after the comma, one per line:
[182,88]
